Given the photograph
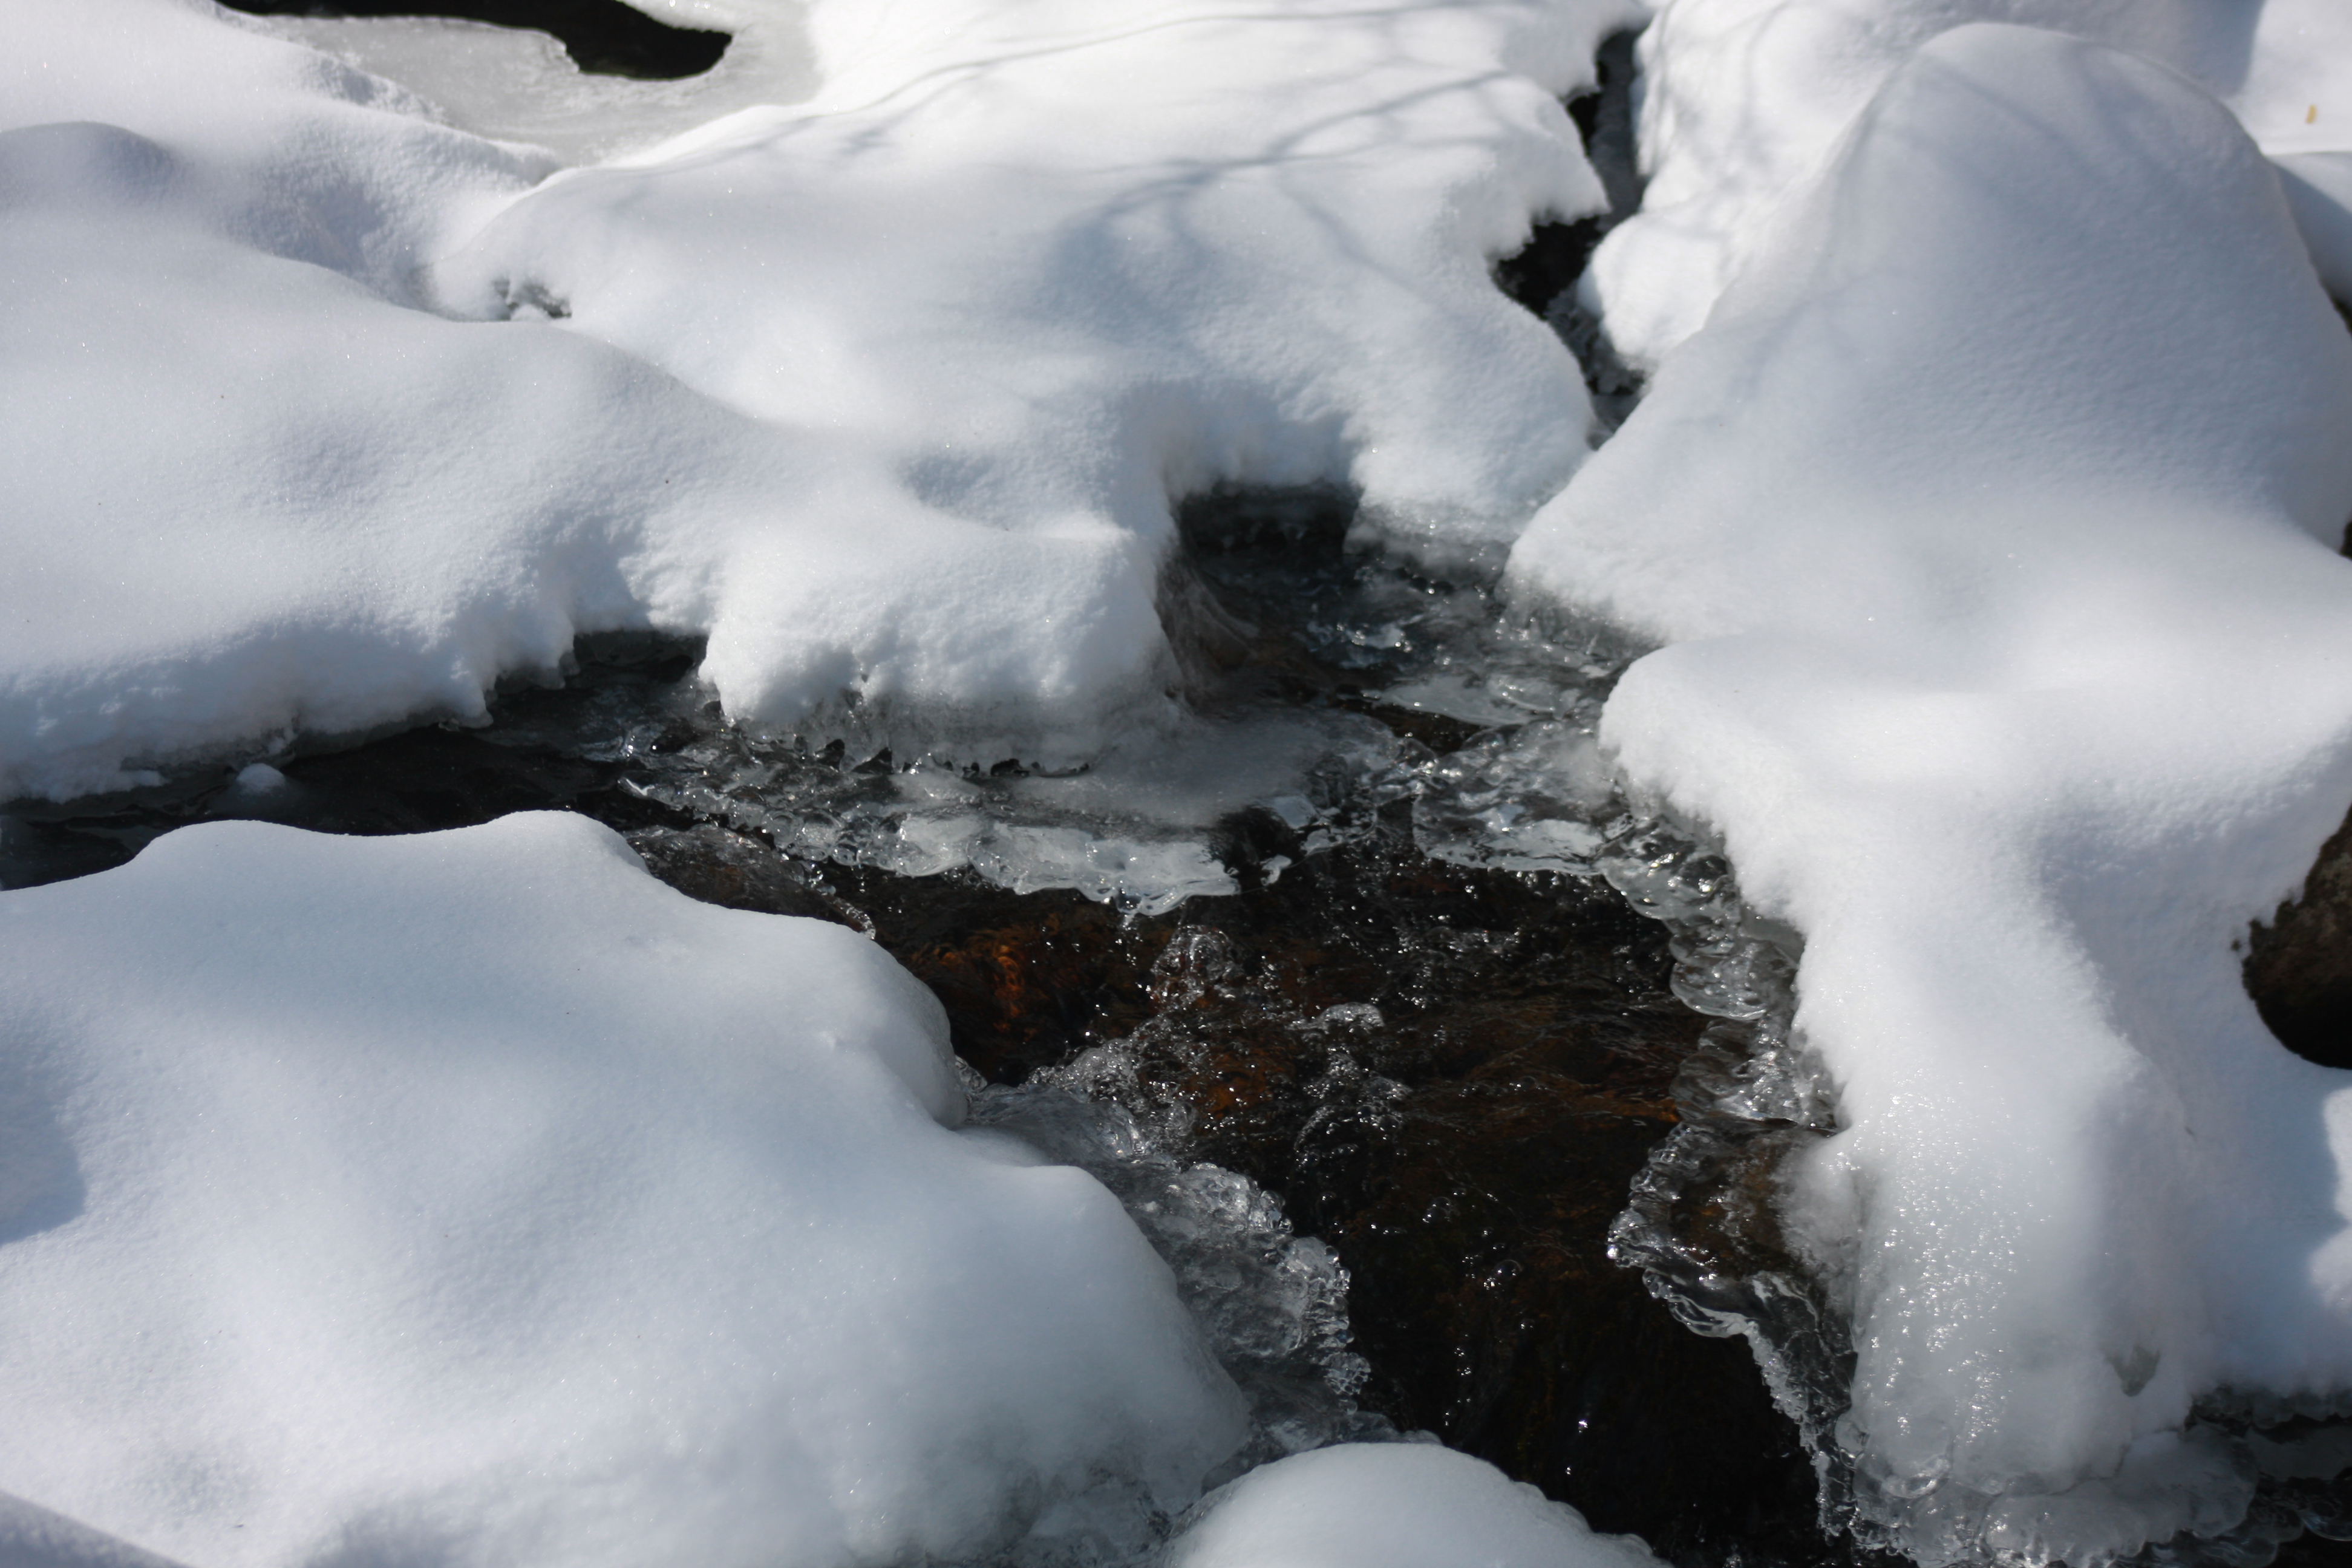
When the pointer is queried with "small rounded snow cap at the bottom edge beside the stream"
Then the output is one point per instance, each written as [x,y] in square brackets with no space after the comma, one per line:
[1391,1506]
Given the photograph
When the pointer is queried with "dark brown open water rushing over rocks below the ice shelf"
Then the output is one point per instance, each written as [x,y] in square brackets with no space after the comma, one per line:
[1450,1076]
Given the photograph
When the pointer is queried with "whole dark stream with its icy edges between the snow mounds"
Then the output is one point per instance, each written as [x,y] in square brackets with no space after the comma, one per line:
[1450,1083]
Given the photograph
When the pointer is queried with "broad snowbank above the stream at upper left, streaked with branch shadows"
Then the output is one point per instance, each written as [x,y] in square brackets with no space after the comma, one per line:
[888,389]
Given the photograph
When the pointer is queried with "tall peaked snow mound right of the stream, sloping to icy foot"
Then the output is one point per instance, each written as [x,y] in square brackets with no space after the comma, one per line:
[1993,525]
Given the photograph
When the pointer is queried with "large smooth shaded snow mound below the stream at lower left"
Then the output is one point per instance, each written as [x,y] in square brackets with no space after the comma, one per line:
[474,1198]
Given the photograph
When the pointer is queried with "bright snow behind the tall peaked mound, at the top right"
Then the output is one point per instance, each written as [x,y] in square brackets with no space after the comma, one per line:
[1746,100]
